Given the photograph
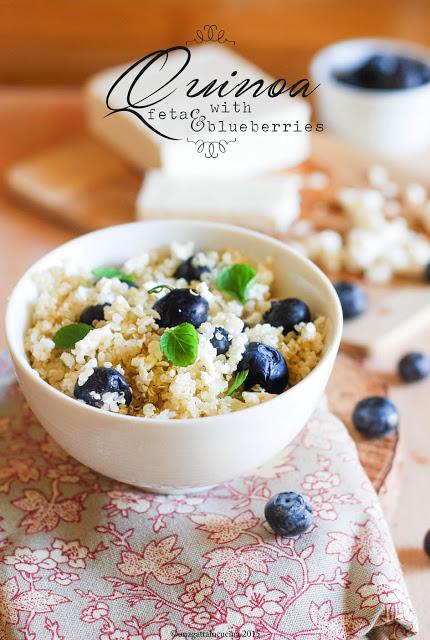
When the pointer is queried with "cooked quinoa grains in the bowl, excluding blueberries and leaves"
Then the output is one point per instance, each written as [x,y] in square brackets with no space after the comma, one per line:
[128,339]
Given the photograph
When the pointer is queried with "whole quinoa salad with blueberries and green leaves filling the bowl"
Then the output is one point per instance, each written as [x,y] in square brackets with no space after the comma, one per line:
[176,332]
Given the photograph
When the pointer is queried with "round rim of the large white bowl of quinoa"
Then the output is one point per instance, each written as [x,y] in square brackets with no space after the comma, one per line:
[330,350]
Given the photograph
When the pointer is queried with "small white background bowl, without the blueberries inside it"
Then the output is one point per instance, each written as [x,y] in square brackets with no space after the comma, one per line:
[386,122]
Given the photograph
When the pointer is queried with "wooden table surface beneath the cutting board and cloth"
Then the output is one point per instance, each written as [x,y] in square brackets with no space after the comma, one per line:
[31,119]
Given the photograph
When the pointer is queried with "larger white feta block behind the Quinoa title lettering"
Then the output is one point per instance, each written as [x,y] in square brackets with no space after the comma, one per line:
[267,132]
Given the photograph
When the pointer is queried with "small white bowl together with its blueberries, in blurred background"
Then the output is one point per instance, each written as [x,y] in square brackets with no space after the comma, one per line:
[364,107]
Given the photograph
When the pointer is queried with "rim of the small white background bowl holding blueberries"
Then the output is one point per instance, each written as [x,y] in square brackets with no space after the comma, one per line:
[321,65]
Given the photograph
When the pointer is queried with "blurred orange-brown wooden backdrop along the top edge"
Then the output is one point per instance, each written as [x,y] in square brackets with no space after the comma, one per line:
[47,42]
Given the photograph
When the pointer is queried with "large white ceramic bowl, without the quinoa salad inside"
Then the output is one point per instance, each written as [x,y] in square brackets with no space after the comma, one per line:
[176,455]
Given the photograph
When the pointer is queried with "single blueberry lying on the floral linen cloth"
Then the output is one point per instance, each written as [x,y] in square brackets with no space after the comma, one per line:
[288,513]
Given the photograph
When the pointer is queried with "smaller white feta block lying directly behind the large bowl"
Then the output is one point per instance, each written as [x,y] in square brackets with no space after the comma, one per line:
[269,203]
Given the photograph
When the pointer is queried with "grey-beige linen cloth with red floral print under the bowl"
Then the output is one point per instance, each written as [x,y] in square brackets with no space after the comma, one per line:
[83,557]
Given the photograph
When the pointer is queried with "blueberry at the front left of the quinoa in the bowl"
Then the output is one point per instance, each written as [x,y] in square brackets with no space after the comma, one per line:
[102,380]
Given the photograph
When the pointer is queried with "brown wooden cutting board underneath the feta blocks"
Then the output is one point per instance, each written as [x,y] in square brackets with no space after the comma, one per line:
[85,185]
